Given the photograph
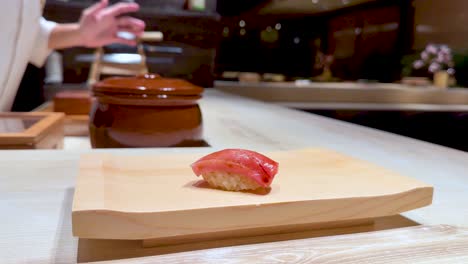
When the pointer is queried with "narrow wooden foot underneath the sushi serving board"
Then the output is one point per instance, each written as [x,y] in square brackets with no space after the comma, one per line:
[319,229]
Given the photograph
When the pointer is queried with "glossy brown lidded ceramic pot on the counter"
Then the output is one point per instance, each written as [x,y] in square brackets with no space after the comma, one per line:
[145,111]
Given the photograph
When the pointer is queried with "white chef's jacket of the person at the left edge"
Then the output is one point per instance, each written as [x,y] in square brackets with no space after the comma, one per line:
[24,37]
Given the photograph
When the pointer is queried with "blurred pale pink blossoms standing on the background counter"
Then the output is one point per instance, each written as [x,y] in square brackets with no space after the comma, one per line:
[436,58]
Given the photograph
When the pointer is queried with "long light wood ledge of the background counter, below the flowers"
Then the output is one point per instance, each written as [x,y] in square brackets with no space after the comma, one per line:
[352,96]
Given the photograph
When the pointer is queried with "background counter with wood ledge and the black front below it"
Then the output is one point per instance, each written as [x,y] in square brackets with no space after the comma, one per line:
[425,113]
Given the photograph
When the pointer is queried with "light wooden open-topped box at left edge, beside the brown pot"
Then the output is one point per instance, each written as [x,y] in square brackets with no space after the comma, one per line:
[31,130]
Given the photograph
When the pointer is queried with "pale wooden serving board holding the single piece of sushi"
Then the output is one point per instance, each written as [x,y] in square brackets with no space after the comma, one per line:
[158,198]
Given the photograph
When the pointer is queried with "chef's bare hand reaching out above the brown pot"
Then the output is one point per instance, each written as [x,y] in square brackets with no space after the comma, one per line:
[100,24]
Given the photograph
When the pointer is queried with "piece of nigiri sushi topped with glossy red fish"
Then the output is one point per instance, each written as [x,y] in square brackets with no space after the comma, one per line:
[236,169]
